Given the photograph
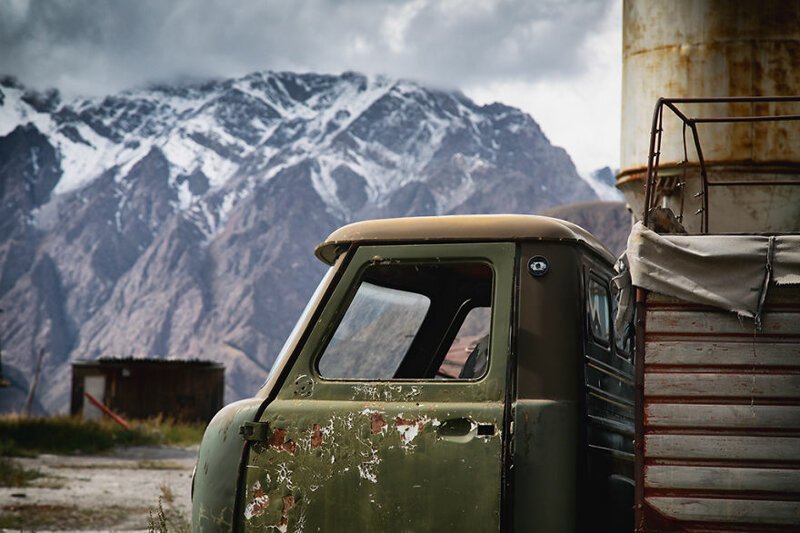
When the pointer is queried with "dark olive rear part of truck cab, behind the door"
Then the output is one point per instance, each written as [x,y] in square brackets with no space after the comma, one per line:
[570,436]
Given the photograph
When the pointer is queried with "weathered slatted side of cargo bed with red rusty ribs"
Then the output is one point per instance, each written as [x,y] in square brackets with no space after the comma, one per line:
[720,417]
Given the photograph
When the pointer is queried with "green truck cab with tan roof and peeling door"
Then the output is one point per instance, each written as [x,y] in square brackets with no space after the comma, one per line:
[449,373]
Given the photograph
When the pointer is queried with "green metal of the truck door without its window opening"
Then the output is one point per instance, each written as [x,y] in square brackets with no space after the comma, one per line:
[384,455]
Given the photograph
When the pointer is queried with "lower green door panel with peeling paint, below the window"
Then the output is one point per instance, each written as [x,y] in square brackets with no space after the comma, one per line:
[409,472]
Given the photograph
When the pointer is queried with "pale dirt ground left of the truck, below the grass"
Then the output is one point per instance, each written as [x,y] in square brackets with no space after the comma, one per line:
[109,492]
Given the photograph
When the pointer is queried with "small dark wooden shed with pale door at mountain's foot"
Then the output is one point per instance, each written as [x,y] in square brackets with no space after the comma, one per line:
[190,390]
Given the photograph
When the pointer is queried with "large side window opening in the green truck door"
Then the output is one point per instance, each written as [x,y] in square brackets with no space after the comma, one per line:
[413,321]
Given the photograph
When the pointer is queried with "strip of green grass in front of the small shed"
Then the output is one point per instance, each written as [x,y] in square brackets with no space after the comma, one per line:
[28,436]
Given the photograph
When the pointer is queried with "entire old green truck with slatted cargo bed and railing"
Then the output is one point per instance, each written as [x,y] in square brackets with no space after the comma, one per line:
[475,373]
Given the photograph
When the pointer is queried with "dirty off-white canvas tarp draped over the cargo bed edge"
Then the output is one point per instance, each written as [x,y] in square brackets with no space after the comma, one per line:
[732,272]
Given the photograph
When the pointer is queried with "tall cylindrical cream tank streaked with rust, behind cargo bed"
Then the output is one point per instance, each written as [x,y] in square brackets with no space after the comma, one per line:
[715,48]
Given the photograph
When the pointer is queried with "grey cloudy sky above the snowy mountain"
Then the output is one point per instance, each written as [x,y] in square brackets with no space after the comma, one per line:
[559,60]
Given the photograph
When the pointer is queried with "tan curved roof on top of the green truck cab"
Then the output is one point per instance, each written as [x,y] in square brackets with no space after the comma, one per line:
[458,228]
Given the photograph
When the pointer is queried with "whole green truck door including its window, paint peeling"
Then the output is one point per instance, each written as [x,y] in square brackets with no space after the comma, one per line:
[390,417]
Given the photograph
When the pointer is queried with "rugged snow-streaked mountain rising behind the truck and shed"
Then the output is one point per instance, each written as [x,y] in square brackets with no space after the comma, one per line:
[179,221]
